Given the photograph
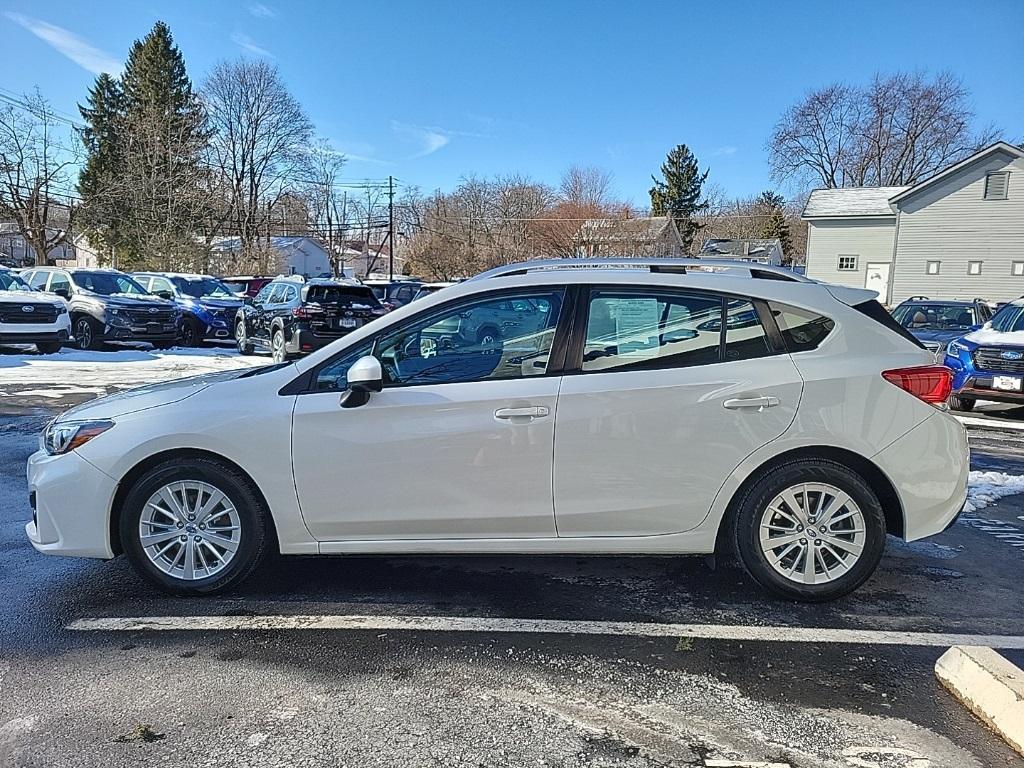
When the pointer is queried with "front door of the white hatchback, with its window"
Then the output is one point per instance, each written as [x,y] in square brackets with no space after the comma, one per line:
[457,446]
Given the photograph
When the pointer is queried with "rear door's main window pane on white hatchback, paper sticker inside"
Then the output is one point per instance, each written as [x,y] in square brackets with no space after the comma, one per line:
[638,331]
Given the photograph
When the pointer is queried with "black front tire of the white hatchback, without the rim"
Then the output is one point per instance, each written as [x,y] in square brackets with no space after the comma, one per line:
[255,534]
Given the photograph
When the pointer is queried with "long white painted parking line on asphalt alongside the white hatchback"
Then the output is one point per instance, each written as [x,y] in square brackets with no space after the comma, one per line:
[543,627]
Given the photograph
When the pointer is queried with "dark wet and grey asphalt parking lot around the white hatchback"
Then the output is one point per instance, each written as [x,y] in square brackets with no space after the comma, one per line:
[500,693]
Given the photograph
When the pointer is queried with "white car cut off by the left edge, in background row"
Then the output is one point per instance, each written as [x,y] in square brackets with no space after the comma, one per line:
[28,317]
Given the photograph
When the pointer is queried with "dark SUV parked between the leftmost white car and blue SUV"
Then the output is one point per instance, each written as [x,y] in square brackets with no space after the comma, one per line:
[108,306]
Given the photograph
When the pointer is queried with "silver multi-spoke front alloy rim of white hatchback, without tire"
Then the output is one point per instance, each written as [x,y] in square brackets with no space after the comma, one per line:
[190,530]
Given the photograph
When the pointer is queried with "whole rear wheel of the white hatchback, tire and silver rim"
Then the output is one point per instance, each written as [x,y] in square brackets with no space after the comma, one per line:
[812,530]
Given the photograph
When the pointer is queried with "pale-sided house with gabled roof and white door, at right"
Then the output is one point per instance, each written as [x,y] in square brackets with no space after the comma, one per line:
[959,235]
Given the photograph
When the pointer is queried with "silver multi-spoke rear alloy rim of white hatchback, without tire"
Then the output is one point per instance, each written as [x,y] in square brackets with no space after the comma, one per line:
[813,533]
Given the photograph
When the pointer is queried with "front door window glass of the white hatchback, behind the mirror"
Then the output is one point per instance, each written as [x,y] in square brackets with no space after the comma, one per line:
[478,342]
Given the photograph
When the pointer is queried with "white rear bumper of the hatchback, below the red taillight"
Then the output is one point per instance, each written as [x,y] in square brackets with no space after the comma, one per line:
[929,468]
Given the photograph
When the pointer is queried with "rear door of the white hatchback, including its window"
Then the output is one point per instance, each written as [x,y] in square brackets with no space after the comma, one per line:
[665,405]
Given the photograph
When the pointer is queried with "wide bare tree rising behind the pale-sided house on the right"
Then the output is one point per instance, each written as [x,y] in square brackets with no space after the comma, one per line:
[900,130]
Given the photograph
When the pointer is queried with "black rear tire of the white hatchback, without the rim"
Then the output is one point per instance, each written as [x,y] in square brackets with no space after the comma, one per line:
[758,496]
